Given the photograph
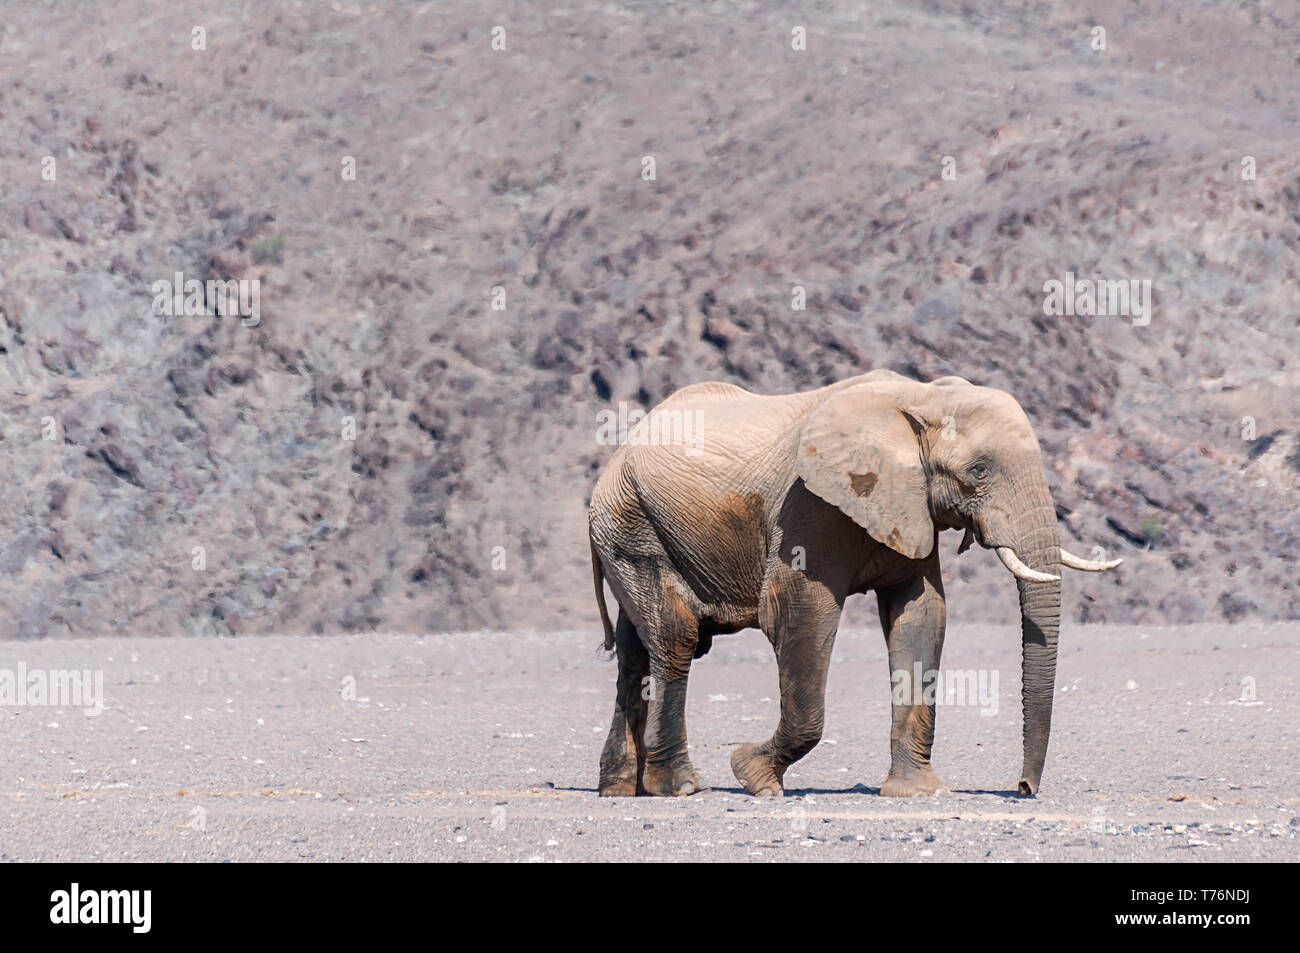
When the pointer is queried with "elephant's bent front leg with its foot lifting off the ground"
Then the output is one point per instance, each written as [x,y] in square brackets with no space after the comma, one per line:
[801,621]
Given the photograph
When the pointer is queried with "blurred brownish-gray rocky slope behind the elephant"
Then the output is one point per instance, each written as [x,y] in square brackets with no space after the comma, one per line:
[522,170]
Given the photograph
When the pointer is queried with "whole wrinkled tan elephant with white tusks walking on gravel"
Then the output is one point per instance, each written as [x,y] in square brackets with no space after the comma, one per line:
[726,510]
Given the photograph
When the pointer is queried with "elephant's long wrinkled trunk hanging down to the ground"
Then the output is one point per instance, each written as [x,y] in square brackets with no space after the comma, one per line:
[1038,545]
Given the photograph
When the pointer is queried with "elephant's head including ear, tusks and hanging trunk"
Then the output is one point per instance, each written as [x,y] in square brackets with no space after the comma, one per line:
[905,460]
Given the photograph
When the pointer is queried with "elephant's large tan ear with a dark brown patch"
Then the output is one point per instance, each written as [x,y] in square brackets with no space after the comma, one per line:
[860,453]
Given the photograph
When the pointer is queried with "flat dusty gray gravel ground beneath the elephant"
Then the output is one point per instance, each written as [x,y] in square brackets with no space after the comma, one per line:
[484,747]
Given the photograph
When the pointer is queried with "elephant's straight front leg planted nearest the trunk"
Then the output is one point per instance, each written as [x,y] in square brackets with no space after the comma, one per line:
[913,617]
